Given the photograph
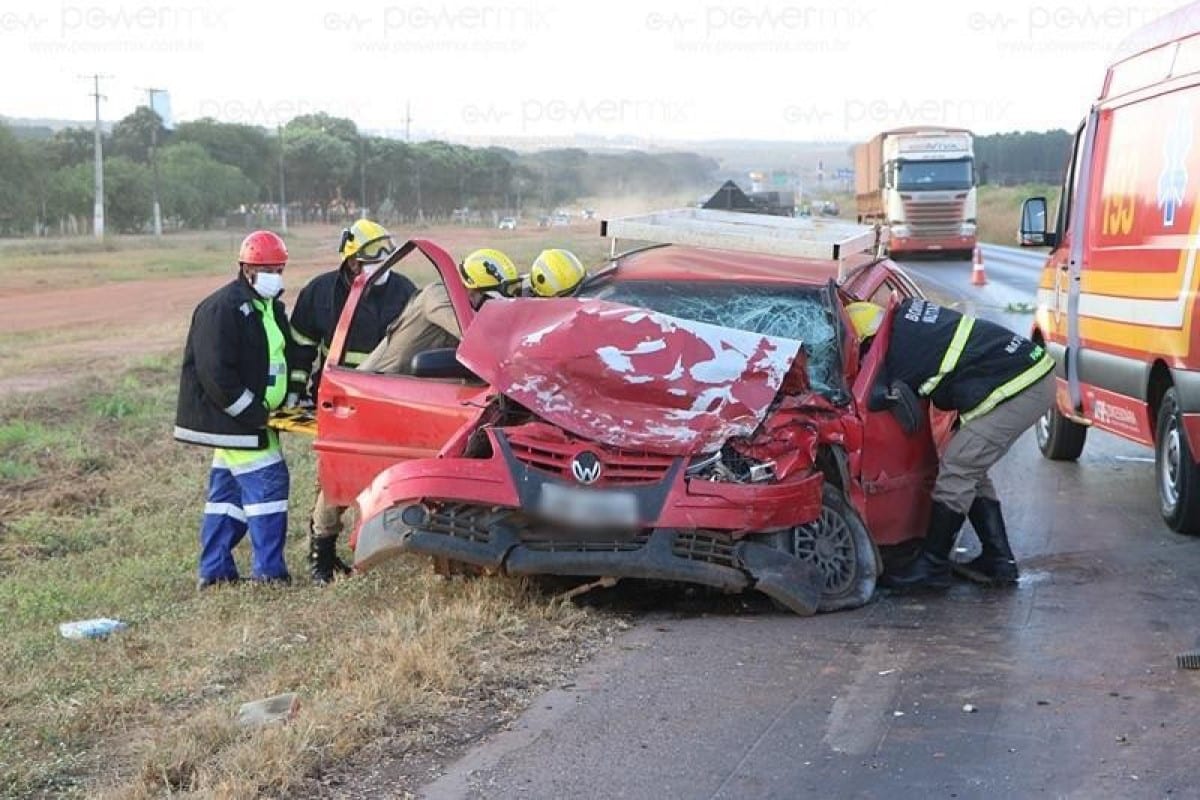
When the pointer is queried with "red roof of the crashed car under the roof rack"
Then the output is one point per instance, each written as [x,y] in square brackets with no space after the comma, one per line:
[680,263]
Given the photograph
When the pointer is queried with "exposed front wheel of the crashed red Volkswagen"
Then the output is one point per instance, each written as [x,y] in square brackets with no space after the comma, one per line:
[839,545]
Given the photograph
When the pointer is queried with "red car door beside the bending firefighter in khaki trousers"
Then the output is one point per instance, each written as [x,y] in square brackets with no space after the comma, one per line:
[898,470]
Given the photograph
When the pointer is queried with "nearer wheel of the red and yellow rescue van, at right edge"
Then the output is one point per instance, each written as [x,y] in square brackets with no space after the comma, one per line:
[1175,472]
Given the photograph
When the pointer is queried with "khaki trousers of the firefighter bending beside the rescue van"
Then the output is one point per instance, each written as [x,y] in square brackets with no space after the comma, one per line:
[981,443]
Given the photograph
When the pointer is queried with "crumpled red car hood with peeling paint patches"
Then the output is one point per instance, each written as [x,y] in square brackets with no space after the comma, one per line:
[628,377]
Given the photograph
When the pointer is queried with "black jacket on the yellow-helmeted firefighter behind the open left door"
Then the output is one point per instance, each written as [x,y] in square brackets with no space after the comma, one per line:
[319,309]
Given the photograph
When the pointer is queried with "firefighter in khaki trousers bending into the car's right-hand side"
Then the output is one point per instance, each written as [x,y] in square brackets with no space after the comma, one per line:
[1000,384]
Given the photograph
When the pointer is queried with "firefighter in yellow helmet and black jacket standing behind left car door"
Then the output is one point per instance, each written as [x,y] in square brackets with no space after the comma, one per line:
[364,248]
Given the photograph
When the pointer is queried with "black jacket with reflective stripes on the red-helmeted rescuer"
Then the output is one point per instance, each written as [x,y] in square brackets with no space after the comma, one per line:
[226,371]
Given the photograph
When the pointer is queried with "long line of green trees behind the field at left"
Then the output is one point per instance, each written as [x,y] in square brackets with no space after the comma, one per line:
[208,170]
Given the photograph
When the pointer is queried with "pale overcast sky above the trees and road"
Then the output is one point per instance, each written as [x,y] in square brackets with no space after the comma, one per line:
[655,70]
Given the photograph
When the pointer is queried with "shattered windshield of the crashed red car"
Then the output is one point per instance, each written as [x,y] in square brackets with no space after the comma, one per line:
[790,312]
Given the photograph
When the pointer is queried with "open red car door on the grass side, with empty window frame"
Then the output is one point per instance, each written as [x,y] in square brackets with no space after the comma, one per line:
[369,422]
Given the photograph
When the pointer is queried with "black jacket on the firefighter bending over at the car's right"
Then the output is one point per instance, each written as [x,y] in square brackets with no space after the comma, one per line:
[922,334]
